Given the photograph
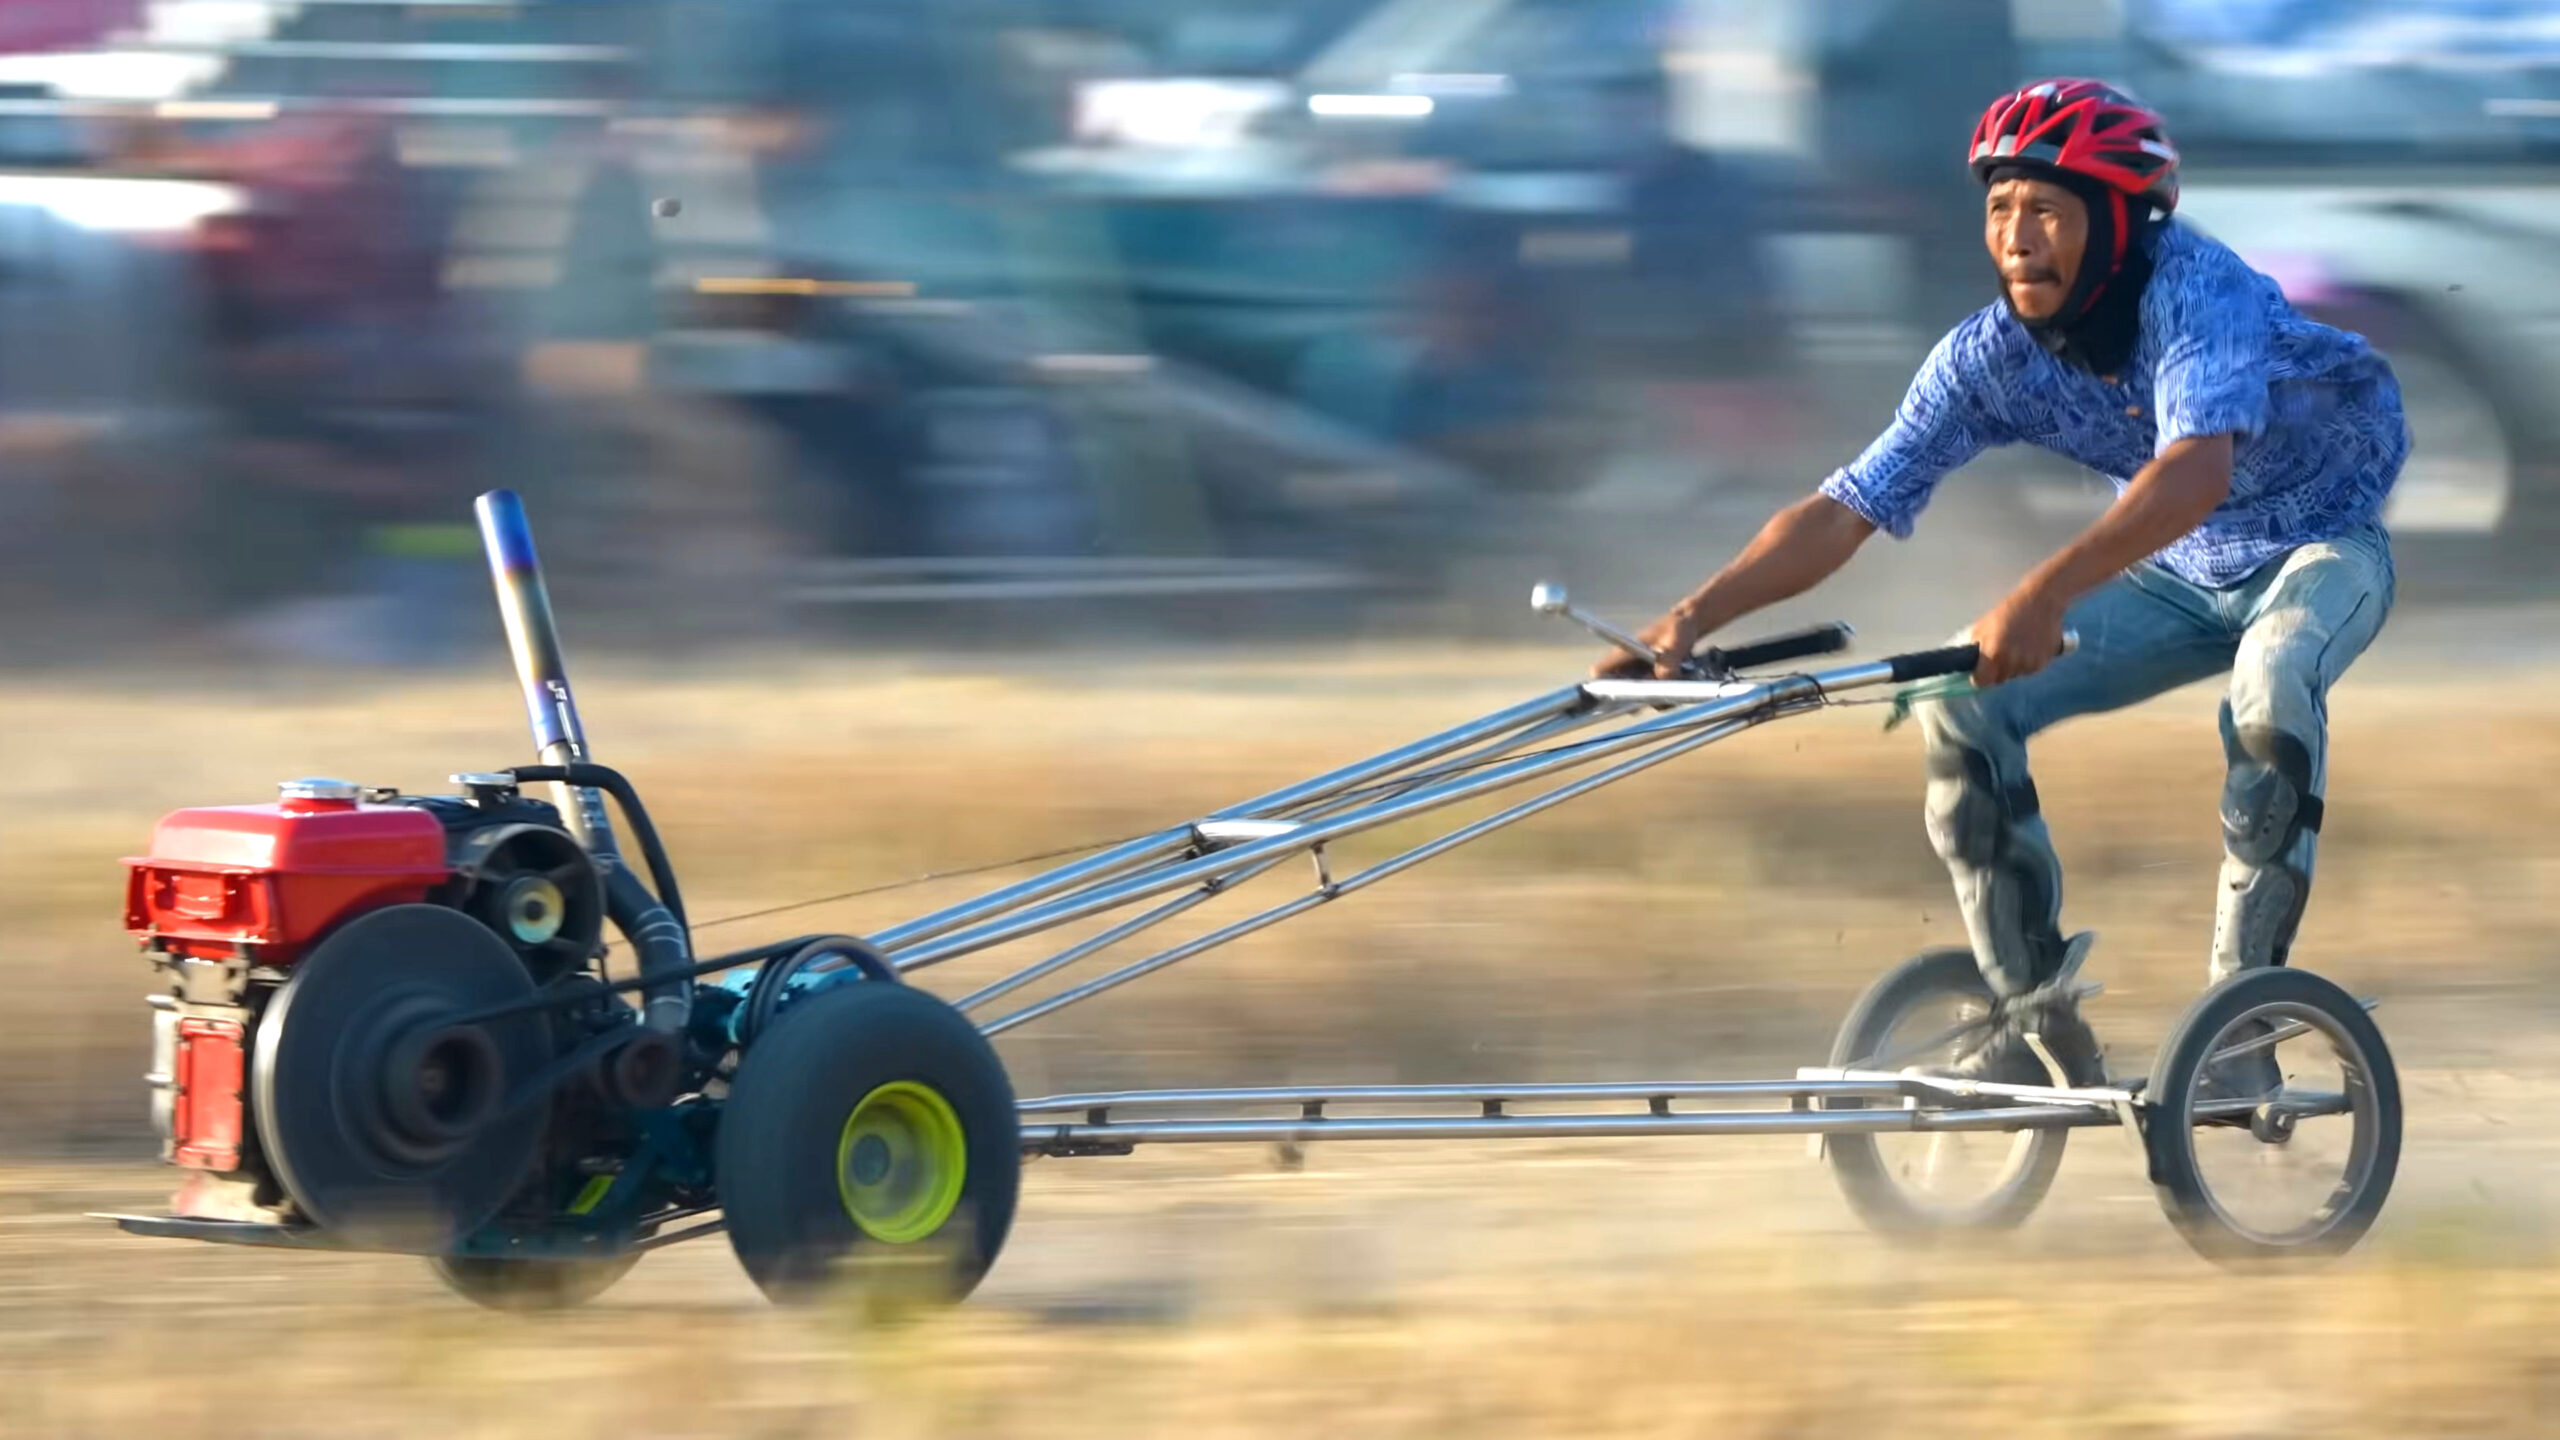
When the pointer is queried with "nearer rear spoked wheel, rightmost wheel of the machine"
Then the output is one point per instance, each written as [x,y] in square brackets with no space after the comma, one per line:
[2275,1121]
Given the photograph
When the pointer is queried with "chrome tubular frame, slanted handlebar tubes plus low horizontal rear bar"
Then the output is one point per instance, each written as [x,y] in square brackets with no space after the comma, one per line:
[1192,865]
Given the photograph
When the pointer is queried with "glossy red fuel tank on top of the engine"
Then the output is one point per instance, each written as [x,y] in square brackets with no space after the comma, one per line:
[278,878]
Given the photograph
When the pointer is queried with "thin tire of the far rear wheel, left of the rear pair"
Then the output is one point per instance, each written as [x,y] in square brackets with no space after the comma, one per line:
[1855,1162]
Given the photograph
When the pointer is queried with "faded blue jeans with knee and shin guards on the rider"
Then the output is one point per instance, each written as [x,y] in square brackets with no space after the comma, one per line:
[2285,637]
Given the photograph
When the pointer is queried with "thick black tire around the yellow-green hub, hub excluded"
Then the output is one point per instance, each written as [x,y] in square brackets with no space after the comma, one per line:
[787,1113]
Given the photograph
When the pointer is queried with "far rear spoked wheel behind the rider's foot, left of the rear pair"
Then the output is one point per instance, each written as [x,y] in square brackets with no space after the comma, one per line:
[1926,1188]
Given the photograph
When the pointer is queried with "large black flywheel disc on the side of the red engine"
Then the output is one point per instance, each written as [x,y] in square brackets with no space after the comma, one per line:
[383,1118]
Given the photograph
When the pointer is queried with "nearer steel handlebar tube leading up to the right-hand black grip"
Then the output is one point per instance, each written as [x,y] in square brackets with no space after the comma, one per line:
[1220,865]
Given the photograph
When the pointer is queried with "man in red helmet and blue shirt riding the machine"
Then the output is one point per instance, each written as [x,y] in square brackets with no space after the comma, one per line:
[2252,452]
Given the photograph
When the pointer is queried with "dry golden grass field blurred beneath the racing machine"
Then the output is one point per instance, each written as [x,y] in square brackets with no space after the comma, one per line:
[1711,919]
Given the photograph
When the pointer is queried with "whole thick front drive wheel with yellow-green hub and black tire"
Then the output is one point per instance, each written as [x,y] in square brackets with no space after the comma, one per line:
[869,1149]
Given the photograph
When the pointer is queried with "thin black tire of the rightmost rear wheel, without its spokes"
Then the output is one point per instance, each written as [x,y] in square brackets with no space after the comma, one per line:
[2172,1147]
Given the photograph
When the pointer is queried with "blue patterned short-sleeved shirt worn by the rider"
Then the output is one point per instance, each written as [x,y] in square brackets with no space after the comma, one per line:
[2316,411]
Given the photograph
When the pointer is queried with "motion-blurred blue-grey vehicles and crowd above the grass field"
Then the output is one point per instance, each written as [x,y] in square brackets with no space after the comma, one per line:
[836,319]
